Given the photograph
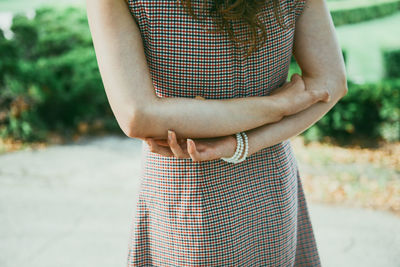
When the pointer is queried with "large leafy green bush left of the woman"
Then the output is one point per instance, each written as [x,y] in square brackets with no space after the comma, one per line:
[49,75]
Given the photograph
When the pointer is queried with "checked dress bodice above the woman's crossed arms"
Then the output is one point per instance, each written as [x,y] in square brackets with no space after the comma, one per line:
[186,60]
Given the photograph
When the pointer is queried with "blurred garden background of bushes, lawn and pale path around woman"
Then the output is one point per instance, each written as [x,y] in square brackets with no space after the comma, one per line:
[69,178]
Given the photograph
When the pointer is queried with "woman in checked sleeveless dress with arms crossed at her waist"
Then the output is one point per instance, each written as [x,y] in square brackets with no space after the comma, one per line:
[201,75]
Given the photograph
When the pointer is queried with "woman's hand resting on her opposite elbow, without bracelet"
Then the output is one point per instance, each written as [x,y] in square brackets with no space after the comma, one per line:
[295,97]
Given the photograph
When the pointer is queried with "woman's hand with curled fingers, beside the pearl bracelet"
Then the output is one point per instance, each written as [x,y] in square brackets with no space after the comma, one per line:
[202,149]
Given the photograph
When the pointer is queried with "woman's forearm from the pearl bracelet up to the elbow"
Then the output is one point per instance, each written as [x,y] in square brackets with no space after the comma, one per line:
[293,125]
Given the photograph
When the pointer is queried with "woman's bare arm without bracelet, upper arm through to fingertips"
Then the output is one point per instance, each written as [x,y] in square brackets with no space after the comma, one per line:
[141,114]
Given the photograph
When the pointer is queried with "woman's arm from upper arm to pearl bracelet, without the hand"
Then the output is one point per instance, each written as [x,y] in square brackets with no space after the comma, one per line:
[318,54]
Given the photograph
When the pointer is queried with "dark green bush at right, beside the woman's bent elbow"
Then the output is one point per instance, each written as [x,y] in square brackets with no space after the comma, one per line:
[369,112]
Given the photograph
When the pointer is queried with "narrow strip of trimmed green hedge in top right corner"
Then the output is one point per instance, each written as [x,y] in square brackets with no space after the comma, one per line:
[342,14]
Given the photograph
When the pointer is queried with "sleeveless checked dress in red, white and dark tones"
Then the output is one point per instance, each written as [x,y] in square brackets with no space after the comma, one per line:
[215,213]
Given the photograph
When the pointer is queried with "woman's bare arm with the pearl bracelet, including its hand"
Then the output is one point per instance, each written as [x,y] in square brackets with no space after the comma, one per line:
[317,52]
